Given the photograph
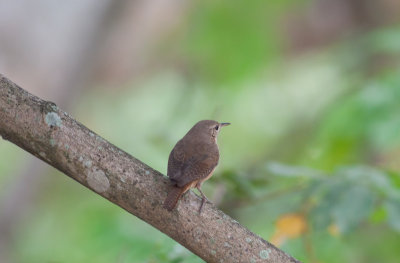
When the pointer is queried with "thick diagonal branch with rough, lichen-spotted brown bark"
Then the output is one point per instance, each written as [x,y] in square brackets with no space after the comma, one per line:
[53,136]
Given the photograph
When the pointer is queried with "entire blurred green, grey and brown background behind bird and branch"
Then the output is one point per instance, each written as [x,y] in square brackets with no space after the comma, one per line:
[311,87]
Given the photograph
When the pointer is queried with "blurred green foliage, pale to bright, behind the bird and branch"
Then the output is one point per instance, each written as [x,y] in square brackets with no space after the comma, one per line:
[317,134]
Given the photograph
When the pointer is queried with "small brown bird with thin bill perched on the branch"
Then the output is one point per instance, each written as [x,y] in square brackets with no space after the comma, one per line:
[193,160]
